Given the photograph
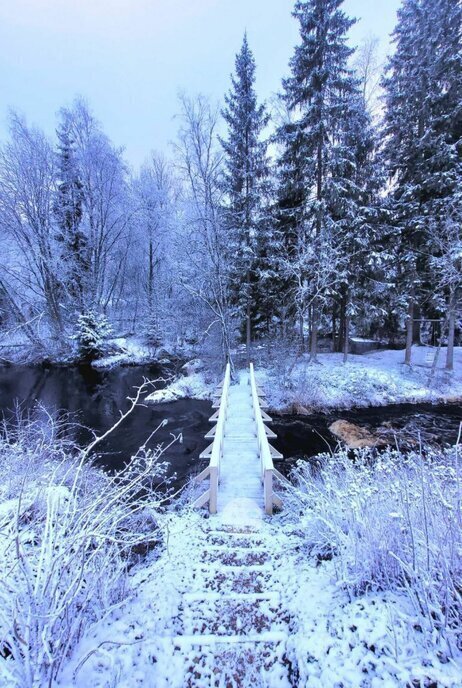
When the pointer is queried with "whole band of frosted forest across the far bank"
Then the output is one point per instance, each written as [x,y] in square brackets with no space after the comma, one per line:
[330,212]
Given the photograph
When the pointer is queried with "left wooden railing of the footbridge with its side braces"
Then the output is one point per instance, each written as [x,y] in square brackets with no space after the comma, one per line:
[212,471]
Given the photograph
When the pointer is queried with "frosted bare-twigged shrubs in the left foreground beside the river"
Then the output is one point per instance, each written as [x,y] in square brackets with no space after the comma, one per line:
[68,535]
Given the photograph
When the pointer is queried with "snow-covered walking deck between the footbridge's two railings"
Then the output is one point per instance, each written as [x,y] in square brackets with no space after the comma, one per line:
[240,493]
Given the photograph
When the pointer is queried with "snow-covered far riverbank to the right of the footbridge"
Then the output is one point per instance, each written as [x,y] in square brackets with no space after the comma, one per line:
[372,379]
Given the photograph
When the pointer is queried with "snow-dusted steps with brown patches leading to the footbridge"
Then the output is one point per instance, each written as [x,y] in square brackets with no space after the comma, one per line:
[232,625]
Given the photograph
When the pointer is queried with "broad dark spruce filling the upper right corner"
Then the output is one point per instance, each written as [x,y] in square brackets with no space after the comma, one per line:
[423,141]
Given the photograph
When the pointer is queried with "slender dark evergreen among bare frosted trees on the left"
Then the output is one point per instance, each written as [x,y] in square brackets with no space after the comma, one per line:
[68,214]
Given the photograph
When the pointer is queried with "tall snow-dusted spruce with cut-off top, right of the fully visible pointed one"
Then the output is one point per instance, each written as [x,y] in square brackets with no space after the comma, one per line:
[318,94]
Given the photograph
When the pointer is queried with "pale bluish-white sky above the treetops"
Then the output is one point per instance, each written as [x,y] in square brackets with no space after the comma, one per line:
[129,58]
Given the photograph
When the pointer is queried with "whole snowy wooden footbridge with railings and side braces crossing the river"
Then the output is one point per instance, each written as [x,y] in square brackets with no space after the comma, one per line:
[241,473]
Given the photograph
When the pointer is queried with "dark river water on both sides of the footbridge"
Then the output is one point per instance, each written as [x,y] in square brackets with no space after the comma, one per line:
[95,398]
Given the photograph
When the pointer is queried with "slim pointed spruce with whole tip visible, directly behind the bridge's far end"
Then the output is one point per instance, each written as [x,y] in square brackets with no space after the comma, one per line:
[245,183]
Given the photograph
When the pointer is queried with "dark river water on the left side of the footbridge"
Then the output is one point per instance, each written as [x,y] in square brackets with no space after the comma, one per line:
[95,398]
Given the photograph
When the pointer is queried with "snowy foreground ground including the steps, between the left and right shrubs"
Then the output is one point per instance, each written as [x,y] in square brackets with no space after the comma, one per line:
[250,607]
